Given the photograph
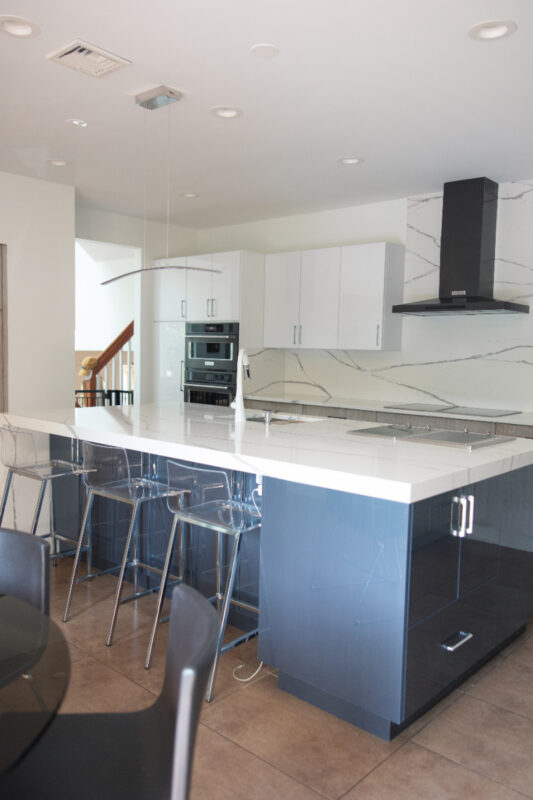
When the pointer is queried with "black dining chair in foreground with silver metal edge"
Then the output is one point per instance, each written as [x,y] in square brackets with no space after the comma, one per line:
[141,755]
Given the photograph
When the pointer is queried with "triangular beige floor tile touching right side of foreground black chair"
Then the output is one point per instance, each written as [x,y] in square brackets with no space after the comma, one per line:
[224,771]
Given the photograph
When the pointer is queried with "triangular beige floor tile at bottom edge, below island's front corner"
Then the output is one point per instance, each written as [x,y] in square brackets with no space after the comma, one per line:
[413,772]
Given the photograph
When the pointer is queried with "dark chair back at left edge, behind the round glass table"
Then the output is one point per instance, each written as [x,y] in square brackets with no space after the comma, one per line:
[25,568]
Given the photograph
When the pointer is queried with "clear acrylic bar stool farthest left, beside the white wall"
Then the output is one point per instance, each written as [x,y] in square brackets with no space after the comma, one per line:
[22,454]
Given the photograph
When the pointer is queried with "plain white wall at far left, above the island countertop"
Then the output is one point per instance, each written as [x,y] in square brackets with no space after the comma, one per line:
[37,225]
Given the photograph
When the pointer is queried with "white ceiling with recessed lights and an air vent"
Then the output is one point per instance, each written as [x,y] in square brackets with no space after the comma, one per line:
[397,82]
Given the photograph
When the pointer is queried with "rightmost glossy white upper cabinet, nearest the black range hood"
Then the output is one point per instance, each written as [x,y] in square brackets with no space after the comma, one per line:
[371,282]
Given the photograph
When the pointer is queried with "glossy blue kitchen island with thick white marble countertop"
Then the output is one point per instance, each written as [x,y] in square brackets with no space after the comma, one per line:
[370,606]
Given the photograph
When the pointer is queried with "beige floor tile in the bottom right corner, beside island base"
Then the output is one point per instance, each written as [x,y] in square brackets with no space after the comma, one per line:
[484,738]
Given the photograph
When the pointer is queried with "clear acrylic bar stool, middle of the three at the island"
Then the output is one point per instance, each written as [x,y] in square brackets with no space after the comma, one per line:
[116,474]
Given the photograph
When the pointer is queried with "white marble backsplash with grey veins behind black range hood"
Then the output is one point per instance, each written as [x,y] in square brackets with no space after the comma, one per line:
[475,359]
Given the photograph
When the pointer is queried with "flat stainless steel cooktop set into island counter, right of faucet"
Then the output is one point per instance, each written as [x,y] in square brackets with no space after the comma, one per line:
[465,439]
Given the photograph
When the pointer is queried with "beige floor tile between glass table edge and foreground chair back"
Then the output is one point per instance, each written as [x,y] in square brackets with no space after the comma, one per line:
[94,687]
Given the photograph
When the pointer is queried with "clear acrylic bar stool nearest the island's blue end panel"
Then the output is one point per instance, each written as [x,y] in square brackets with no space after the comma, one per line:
[201,497]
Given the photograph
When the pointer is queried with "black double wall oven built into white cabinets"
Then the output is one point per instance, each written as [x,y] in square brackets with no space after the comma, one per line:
[211,350]
